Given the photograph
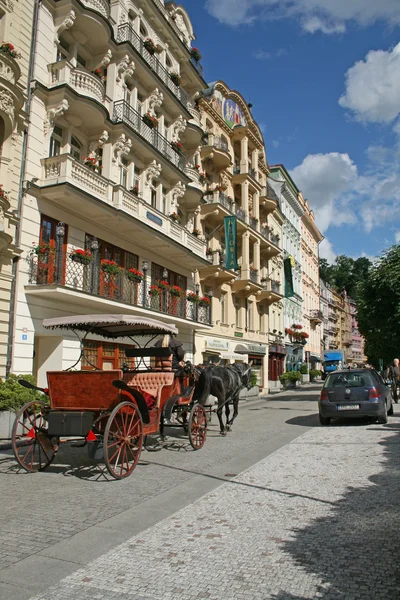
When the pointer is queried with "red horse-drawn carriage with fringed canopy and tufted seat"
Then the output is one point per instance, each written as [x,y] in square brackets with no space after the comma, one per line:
[111,410]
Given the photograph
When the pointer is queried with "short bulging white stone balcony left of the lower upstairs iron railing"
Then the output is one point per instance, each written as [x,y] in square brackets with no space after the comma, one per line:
[81,80]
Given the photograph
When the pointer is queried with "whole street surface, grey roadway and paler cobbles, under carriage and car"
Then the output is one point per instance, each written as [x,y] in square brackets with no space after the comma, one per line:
[281,508]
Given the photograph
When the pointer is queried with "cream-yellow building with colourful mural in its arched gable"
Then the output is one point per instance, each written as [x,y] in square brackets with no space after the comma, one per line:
[246,300]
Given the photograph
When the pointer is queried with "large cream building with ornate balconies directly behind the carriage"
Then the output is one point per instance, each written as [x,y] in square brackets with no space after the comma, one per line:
[112,106]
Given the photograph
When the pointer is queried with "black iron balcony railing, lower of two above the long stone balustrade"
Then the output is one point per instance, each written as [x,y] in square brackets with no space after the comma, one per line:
[124,113]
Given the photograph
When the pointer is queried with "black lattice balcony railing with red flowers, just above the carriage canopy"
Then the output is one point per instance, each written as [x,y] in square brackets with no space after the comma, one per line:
[55,268]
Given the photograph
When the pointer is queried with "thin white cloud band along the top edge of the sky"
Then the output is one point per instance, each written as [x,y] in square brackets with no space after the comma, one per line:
[327,16]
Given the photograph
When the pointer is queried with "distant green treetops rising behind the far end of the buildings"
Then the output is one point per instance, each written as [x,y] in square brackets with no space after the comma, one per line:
[345,273]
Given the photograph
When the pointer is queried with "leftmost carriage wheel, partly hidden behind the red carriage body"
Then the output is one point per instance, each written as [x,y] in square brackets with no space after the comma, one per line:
[32,447]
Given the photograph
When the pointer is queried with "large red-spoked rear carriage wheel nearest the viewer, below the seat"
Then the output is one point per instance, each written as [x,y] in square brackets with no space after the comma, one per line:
[123,440]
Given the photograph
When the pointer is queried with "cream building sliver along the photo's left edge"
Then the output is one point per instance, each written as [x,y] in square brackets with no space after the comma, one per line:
[16,20]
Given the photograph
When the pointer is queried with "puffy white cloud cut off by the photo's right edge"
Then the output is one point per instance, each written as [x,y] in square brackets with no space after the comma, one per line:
[373,87]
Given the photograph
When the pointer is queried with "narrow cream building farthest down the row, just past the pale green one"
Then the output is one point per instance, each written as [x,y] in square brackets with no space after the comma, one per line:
[312,314]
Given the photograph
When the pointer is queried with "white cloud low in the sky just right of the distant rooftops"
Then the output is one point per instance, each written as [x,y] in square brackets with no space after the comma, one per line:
[326,180]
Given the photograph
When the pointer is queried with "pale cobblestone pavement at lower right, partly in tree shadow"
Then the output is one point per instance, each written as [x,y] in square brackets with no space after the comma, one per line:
[318,518]
